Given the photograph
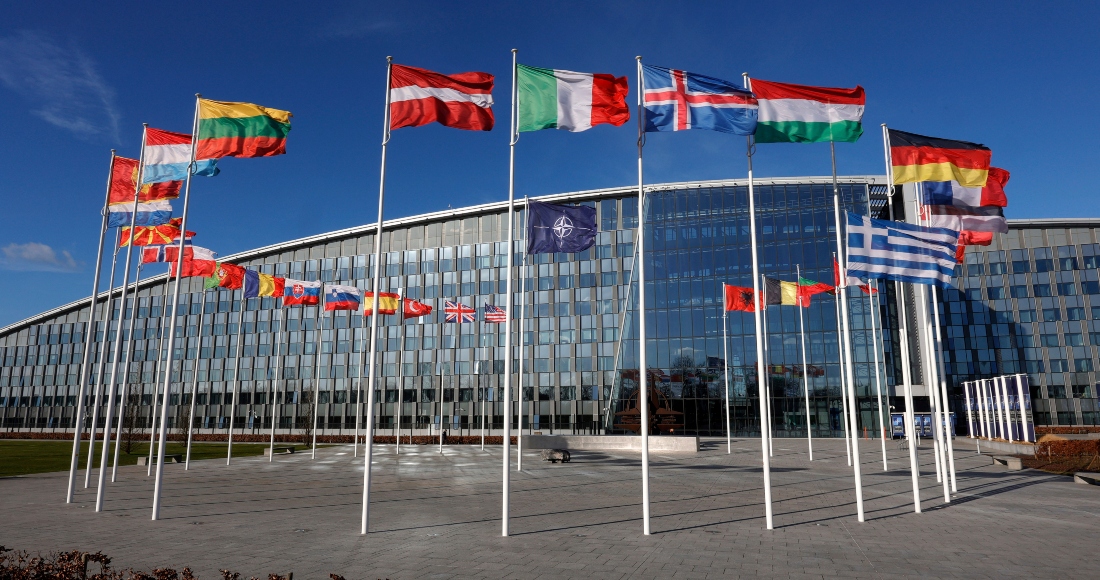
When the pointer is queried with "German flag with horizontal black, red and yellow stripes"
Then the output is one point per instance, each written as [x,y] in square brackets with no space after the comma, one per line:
[928,159]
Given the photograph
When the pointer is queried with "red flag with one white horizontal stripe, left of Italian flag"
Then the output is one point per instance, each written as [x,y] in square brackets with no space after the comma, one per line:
[420,97]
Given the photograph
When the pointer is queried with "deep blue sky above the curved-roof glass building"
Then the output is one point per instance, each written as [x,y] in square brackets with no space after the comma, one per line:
[79,79]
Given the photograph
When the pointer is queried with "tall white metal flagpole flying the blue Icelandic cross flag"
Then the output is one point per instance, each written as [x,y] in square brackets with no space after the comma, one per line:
[643,375]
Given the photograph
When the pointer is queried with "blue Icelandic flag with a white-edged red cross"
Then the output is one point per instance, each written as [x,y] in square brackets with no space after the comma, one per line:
[678,101]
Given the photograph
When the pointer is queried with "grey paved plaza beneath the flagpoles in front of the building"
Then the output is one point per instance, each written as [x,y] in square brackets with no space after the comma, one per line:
[438,517]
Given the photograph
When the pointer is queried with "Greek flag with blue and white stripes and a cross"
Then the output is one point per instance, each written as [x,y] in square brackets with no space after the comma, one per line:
[899,251]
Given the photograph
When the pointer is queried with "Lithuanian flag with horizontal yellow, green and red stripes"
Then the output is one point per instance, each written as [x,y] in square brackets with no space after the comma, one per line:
[240,130]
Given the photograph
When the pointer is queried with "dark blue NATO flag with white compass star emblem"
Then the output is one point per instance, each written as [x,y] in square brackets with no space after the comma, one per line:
[560,228]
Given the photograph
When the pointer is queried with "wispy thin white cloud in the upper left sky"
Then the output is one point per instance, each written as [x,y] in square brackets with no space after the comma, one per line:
[63,85]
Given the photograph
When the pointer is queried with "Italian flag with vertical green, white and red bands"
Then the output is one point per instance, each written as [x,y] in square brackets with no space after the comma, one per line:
[573,102]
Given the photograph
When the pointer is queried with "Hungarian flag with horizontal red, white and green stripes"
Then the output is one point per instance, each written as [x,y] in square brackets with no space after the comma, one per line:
[799,114]
